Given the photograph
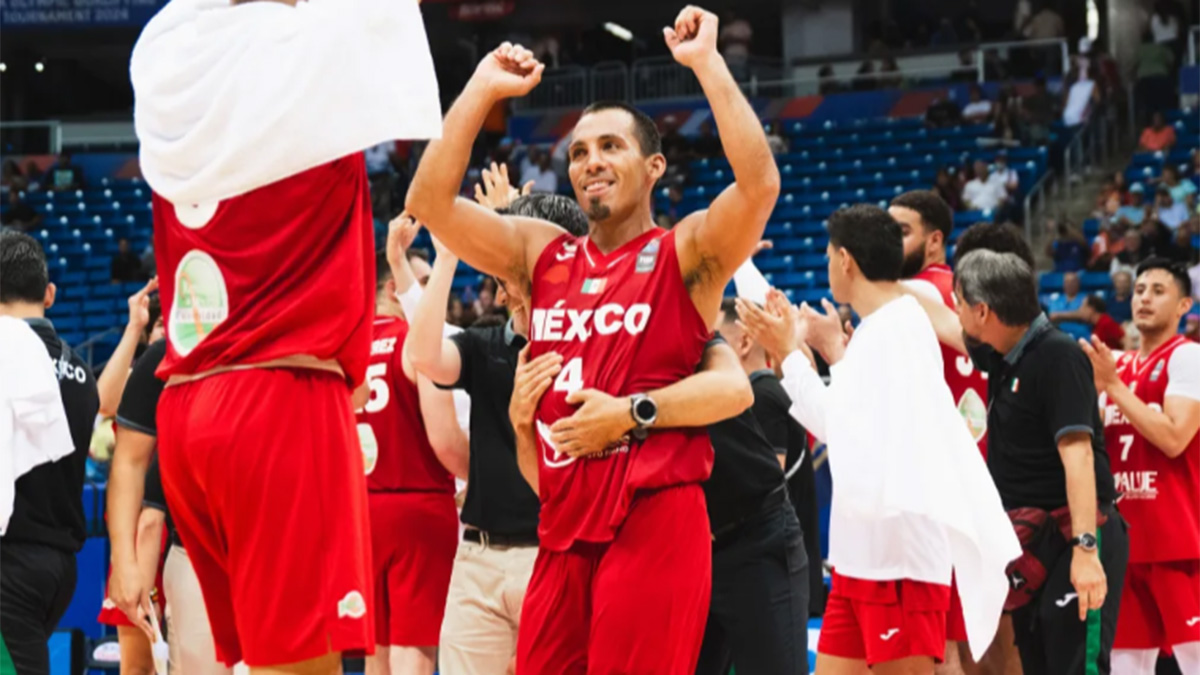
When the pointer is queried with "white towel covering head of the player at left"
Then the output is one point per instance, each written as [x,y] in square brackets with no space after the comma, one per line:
[232,98]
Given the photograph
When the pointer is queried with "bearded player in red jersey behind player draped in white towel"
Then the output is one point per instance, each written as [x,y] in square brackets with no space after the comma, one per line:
[927,223]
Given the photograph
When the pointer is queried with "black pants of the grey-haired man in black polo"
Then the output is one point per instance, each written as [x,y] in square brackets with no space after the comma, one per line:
[1049,635]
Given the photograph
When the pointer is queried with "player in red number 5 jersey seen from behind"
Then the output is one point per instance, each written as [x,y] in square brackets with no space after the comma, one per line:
[412,450]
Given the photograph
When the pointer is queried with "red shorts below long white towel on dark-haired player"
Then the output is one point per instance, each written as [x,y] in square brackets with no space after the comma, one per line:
[883,622]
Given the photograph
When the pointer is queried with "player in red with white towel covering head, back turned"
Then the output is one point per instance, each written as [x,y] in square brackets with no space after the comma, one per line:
[253,120]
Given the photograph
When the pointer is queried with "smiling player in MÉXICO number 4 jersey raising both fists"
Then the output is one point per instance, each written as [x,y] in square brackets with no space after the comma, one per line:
[623,575]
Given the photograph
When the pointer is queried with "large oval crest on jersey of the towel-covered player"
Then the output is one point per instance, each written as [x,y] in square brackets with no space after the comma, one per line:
[201,302]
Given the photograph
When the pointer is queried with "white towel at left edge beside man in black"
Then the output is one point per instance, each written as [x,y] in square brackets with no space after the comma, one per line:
[33,422]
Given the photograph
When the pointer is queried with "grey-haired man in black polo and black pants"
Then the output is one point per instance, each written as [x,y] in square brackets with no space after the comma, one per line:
[1046,451]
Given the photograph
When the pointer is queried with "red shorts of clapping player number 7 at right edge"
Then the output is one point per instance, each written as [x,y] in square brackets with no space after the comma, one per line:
[1160,606]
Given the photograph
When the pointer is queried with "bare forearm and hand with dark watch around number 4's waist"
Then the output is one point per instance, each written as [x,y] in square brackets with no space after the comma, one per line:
[718,392]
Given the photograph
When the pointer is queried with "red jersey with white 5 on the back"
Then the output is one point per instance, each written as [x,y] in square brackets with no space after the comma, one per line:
[397,452]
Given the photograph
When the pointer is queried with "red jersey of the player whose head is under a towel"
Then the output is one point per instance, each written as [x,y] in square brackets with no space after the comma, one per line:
[281,271]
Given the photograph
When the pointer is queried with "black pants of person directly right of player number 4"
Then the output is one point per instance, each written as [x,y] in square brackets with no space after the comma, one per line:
[758,620]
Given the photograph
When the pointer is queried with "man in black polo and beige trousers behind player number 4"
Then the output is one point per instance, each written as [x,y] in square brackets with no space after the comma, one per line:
[500,547]
